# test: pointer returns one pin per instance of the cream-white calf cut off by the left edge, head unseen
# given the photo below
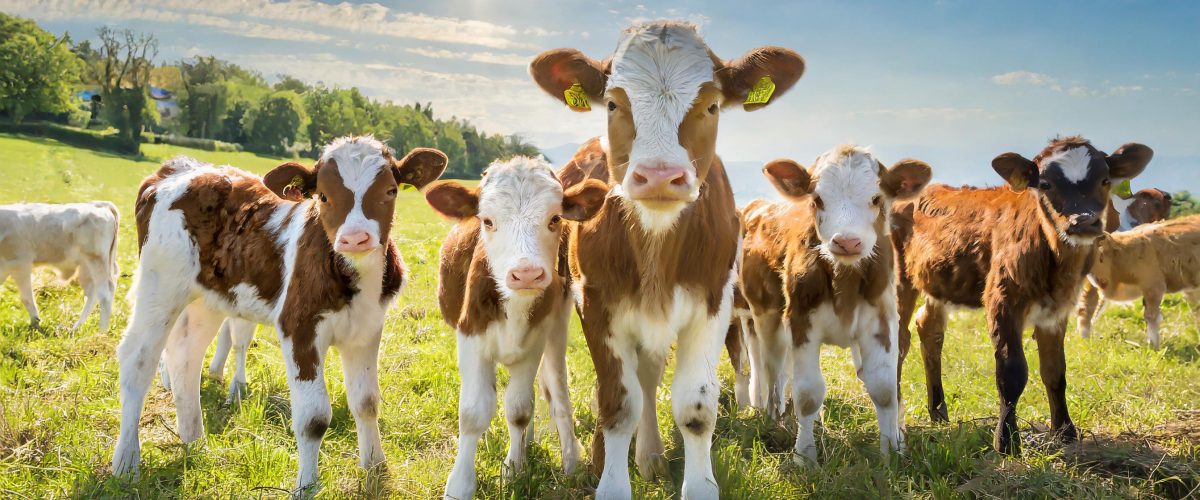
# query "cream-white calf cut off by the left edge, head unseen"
(79, 240)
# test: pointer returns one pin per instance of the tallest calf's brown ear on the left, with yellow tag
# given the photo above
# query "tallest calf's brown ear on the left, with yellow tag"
(555, 71)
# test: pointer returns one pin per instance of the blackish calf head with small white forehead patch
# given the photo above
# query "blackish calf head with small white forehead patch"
(1073, 180)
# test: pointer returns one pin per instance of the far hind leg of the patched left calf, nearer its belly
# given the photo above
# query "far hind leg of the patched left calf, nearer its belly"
(185, 362)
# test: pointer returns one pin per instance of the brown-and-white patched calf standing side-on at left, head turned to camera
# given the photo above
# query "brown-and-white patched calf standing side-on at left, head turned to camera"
(217, 242)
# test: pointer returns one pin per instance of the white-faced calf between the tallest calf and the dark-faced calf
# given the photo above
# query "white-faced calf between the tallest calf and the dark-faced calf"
(818, 269)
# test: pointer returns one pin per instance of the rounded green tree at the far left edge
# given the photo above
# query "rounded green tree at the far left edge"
(38, 70)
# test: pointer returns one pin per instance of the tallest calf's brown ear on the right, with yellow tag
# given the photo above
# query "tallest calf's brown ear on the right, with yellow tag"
(784, 67)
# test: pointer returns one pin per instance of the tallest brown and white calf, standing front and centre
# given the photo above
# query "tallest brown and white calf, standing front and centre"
(656, 267)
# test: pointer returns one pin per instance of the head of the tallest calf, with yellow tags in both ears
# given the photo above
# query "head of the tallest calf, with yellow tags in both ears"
(664, 91)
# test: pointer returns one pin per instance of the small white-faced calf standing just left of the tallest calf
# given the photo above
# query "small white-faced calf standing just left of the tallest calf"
(505, 292)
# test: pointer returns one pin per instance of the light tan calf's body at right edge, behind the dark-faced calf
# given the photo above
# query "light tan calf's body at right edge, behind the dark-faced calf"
(1148, 262)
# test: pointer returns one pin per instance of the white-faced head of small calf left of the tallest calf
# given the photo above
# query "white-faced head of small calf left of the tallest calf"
(520, 206)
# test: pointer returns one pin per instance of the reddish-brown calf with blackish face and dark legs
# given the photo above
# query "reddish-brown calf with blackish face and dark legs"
(1021, 252)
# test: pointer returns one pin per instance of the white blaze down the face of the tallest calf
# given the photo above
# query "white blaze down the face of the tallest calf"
(661, 68)
